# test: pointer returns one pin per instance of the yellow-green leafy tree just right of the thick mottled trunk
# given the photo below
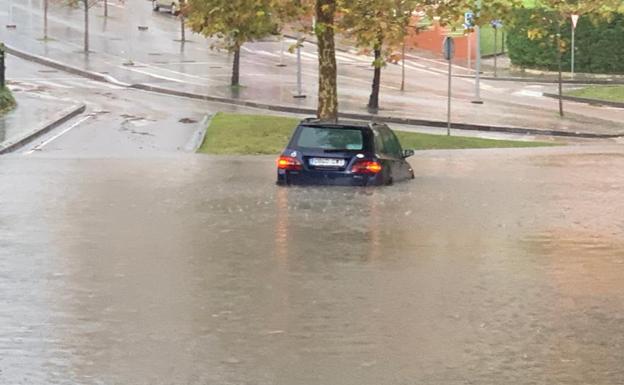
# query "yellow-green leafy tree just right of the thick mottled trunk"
(380, 25)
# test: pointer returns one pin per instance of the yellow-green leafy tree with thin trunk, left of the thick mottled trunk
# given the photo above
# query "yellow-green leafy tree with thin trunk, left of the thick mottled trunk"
(234, 23)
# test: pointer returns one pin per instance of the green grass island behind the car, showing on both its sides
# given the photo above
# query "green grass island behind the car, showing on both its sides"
(238, 134)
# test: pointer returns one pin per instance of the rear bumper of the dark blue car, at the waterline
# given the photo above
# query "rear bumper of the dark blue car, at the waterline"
(327, 178)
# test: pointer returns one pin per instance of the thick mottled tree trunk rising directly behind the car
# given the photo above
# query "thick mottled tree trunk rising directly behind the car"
(328, 82)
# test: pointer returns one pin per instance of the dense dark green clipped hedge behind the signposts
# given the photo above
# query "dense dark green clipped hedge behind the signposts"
(599, 45)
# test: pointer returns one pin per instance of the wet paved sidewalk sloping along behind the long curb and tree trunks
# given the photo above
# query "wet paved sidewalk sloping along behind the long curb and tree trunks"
(193, 69)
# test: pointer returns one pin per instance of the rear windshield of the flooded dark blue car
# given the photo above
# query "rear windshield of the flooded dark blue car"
(330, 138)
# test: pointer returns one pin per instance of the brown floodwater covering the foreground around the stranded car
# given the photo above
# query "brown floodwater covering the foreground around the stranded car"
(492, 267)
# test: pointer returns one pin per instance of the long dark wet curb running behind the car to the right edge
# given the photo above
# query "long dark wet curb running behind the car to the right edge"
(386, 119)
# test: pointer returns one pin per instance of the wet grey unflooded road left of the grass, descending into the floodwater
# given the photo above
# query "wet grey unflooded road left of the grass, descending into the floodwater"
(119, 122)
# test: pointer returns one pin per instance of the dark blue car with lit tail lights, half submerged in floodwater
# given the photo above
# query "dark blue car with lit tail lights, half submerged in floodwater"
(343, 153)
